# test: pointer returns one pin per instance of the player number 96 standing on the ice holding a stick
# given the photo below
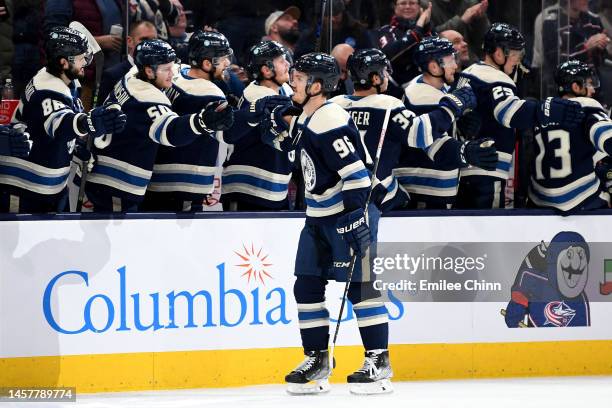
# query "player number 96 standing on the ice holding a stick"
(337, 183)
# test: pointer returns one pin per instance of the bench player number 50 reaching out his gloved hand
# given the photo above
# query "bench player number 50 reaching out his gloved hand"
(124, 161)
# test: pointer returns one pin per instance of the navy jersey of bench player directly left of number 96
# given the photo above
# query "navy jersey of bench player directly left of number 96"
(256, 172)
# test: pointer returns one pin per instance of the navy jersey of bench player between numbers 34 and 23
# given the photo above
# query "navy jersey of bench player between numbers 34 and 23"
(427, 173)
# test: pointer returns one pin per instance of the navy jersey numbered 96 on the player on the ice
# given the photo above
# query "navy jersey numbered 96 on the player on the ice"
(332, 158)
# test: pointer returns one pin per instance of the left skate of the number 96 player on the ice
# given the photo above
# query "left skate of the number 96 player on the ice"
(311, 376)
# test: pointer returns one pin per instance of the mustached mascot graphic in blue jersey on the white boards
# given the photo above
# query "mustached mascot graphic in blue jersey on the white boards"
(548, 290)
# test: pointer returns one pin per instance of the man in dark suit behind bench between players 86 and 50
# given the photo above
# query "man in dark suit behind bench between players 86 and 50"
(139, 31)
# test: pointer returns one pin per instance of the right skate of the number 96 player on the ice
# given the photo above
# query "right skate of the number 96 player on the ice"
(374, 376)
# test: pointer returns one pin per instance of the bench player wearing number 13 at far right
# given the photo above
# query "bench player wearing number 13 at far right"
(563, 173)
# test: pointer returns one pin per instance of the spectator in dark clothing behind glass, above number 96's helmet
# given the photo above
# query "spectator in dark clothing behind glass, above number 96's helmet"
(345, 29)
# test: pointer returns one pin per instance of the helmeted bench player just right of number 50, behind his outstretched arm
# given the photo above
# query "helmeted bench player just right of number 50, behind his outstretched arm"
(184, 176)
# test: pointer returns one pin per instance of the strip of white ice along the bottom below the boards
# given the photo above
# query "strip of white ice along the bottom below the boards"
(574, 392)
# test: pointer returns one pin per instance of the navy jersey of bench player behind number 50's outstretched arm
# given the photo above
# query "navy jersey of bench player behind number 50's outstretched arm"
(188, 171)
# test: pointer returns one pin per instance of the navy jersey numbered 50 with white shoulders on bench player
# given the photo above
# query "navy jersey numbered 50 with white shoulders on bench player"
(124, 162)
